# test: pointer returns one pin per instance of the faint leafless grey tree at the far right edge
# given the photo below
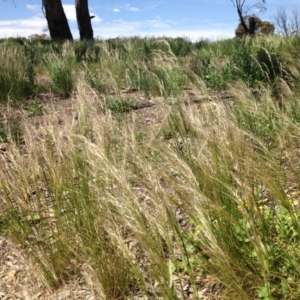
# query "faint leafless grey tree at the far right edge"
(287, 23)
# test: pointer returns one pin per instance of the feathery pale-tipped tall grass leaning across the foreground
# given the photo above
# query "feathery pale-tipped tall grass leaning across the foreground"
(81, 198)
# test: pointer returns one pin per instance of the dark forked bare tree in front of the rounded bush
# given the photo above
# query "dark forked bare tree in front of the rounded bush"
(247, 21)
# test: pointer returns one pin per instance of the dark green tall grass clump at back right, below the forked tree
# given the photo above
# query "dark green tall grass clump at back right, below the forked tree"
(254, 61)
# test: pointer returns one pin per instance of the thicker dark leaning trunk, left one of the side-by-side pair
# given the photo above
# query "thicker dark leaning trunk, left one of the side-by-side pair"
(57, 22)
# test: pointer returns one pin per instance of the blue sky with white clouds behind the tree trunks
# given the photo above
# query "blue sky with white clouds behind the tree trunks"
(193, 19)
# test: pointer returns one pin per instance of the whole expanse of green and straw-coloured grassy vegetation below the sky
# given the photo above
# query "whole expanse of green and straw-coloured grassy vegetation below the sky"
(210, 191)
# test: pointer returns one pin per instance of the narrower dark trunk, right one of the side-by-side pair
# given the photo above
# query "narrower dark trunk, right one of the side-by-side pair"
(84, 20)
